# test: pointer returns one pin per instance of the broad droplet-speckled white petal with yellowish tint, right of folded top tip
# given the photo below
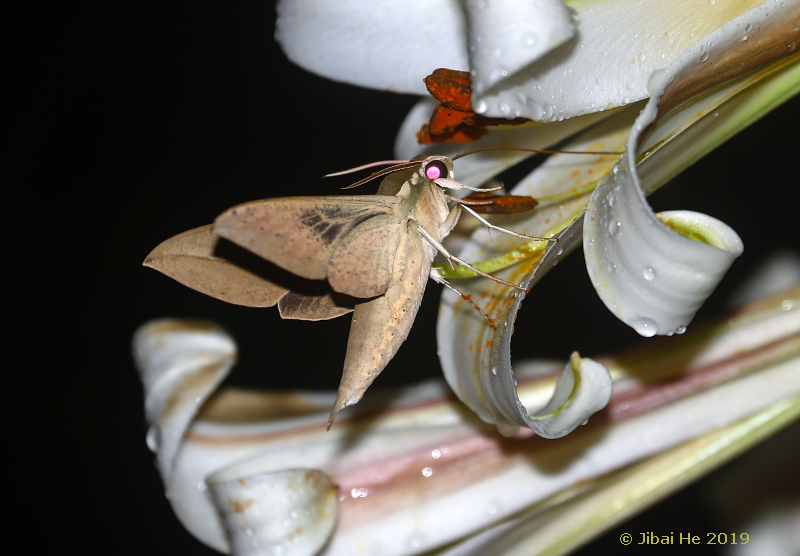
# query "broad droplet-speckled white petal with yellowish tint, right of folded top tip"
(617, 46)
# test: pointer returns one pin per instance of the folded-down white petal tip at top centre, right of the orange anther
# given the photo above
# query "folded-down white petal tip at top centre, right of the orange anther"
(505, 36)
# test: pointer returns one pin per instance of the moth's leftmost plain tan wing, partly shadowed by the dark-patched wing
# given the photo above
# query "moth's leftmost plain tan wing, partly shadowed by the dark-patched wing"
(191, 259)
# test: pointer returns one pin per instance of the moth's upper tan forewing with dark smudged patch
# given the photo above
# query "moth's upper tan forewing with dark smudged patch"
(299, 233)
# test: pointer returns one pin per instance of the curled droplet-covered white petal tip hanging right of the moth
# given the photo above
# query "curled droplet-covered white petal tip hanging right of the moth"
(651, 277)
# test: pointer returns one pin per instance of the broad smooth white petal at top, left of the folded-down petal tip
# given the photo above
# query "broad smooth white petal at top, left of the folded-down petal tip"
(383, 44)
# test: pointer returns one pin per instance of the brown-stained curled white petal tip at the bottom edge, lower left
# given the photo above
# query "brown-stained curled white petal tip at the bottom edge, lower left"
(290, 512)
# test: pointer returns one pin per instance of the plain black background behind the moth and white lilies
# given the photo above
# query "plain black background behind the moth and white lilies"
(135, 122)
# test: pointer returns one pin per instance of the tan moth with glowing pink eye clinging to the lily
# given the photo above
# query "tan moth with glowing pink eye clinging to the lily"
(369, 254)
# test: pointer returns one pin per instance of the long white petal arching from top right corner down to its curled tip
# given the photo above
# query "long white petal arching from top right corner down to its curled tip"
(652, 276)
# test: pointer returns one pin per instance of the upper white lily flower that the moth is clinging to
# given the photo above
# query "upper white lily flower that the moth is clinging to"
(652, 276)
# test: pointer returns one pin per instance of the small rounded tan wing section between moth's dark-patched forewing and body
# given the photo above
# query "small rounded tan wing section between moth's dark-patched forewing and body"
(363, 262)
